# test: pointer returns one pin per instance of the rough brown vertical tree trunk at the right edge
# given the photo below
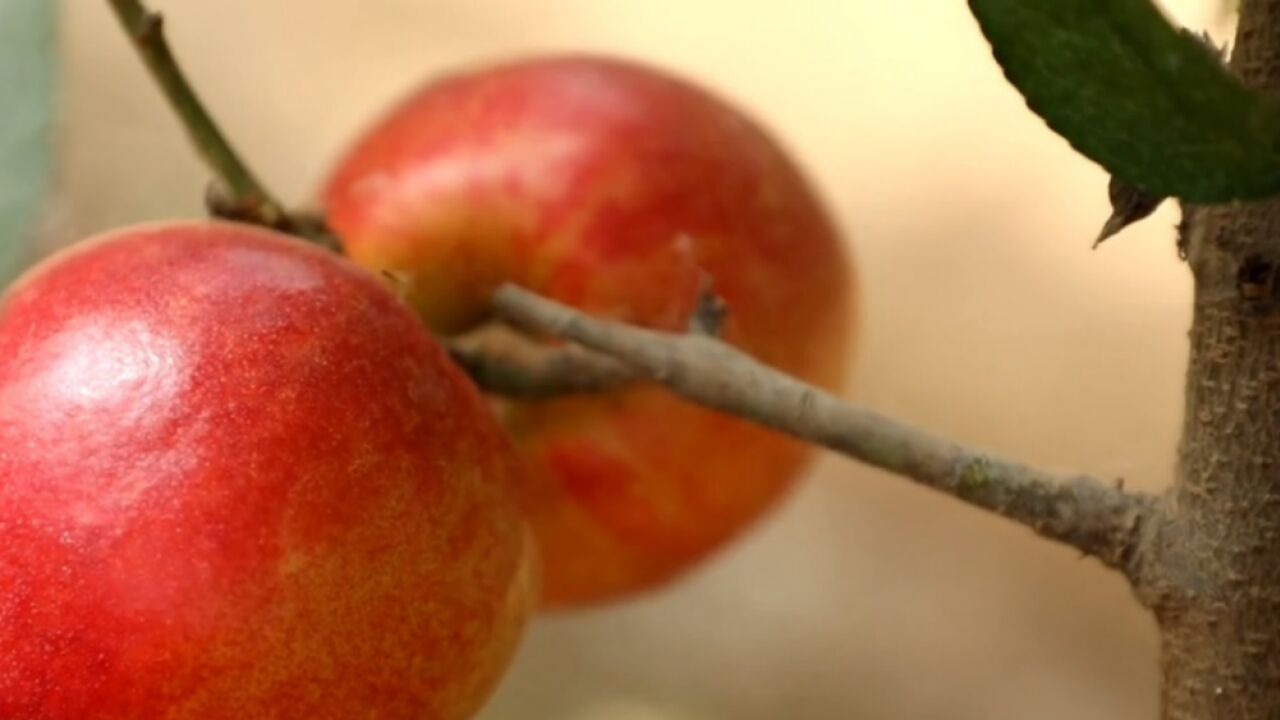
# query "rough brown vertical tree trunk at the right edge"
(1212, 567)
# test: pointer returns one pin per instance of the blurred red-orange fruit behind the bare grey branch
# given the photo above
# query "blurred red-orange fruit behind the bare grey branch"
(610, 186)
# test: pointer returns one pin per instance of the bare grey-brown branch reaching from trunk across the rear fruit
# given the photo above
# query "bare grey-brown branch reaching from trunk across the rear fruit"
(1085, 513)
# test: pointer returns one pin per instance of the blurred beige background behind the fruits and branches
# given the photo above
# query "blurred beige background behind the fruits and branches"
(986, 317)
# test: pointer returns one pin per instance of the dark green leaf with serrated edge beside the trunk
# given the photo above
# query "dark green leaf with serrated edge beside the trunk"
(1150, 103)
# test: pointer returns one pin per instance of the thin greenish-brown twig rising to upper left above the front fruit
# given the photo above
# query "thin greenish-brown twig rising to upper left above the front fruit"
(237, 194)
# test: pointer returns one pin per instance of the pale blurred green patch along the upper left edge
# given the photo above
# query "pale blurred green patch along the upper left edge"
(28, 70)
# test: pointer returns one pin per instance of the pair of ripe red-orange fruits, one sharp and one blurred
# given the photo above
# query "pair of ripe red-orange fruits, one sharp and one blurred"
(239, 479)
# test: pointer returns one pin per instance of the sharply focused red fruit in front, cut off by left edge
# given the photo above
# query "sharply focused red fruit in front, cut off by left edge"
(239, 481)
